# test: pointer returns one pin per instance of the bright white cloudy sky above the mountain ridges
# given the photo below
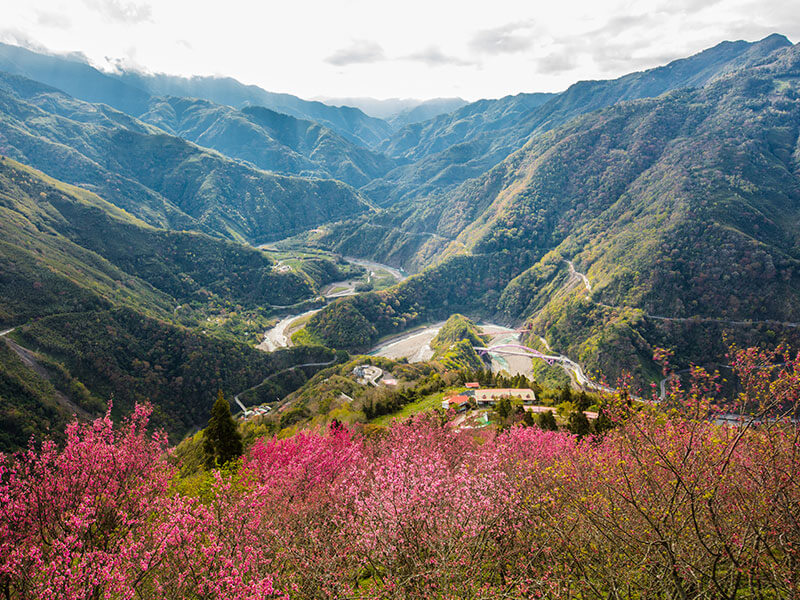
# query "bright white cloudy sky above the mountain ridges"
(413, 48)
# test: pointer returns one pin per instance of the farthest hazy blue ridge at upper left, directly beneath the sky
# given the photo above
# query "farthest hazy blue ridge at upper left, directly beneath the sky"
(131, 92)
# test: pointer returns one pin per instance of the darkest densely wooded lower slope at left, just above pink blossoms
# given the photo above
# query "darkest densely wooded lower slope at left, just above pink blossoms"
(122, 354)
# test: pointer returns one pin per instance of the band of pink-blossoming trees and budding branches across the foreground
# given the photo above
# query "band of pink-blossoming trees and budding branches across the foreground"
(667, 505)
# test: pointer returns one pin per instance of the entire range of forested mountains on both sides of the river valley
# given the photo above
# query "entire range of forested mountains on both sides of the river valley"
(675, 190)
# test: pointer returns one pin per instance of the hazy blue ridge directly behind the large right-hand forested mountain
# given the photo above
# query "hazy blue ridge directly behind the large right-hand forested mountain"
(450, 149)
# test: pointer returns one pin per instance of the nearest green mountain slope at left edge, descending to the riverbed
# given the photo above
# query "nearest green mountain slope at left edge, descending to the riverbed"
(91, 293)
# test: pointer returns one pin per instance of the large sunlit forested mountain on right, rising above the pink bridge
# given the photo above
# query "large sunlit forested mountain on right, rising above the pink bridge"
(682, 210)
